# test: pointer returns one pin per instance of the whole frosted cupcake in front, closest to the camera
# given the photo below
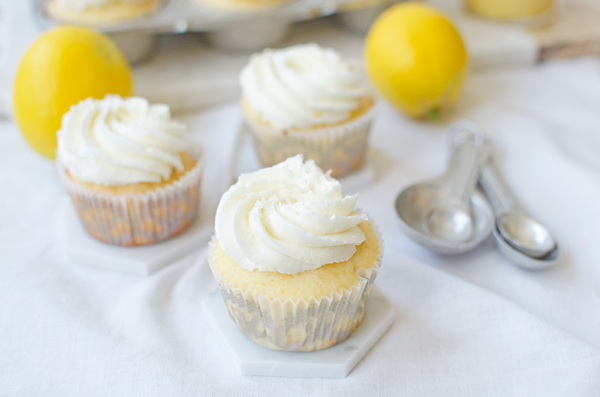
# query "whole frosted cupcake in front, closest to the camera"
(293, 258)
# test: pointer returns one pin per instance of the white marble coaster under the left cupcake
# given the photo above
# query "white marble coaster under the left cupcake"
(83, 249)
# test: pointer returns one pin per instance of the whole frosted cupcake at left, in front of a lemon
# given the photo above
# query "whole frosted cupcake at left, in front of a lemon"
(132, 178)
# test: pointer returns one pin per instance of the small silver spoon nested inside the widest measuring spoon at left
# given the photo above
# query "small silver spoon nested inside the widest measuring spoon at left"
(451, 220)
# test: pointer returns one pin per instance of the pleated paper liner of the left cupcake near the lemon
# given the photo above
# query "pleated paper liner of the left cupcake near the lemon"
(138, 219)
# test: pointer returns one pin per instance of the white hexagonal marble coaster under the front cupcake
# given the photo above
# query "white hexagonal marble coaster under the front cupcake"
(334, 362)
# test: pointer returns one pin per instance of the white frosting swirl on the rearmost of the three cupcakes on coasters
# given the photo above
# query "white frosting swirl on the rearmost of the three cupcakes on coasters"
(302, 86)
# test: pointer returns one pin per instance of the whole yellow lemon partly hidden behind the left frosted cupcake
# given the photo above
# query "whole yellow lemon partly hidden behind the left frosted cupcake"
(61, 68)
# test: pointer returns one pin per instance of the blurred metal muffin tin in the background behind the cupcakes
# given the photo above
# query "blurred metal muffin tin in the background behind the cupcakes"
(226, 29)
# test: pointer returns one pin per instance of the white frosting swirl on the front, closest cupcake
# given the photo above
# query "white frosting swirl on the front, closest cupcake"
(288, 218)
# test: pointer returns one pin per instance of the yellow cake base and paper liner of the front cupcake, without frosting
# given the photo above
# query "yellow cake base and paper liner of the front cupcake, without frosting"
(304, 317)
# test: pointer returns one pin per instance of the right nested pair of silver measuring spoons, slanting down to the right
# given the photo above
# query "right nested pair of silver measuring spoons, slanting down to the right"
(522, 239)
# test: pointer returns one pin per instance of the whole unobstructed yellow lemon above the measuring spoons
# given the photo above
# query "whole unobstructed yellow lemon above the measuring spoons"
(416, 59)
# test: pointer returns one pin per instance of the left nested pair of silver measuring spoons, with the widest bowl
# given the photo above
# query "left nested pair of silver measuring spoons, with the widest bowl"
(445, 214)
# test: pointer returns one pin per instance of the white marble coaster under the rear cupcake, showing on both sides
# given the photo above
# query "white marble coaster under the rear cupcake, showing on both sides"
(245, 160)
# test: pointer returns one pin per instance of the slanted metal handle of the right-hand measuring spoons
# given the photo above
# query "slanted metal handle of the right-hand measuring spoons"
(496, 189)
